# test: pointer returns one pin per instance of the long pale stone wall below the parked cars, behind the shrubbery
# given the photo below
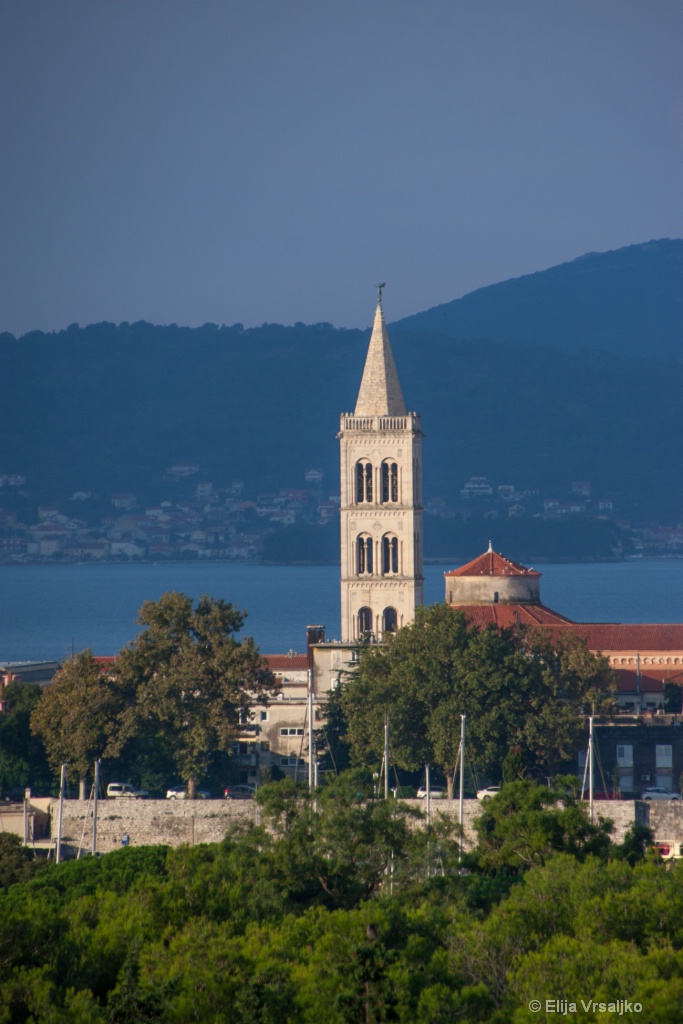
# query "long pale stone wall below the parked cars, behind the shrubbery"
(174, 823)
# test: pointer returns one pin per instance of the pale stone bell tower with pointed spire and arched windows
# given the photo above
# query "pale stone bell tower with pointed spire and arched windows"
(382, 580)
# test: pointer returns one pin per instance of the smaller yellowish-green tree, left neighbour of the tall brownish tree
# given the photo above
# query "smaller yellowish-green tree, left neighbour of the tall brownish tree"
(80, 715)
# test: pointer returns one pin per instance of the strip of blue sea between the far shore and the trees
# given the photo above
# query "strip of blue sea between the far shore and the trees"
(46, 610)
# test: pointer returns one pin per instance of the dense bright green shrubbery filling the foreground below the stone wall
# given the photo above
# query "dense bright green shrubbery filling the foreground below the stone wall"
(350, 914)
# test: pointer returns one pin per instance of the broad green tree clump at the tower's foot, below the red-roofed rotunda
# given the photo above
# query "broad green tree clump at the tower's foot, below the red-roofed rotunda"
(518, 689)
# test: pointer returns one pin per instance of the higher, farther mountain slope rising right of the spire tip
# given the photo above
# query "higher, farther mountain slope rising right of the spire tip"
(627, 302)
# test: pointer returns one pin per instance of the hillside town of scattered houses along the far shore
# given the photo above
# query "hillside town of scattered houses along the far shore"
(202, 520)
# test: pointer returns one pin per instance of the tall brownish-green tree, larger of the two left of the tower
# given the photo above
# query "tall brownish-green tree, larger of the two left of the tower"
(194, 681)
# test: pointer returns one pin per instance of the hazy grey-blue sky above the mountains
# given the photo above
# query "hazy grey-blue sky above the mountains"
(271, 160)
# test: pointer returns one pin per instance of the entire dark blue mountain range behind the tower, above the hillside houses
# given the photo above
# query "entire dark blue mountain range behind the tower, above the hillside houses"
(109, 408)
